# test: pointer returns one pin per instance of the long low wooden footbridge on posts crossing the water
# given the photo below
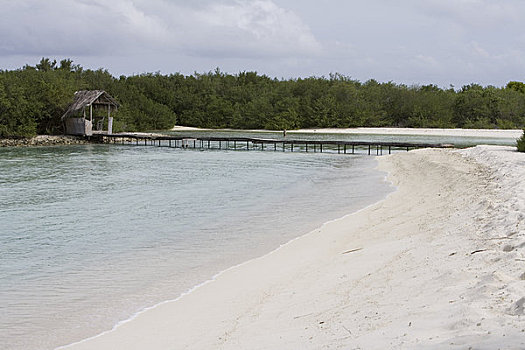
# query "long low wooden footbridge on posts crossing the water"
(247, 143)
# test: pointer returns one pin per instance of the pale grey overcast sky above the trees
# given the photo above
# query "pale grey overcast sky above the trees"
(406, 41)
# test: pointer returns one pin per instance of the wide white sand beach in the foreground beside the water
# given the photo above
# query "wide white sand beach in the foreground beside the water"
(438, 264)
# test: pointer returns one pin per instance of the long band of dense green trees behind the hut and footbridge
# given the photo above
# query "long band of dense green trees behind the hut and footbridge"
(33, 98)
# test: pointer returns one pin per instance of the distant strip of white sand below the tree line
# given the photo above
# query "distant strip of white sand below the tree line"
(482, 133)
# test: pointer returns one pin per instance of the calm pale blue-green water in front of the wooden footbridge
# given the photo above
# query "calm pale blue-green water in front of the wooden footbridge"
(92, 234)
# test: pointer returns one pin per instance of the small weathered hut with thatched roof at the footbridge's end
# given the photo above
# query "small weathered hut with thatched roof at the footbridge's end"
(88, 112)
